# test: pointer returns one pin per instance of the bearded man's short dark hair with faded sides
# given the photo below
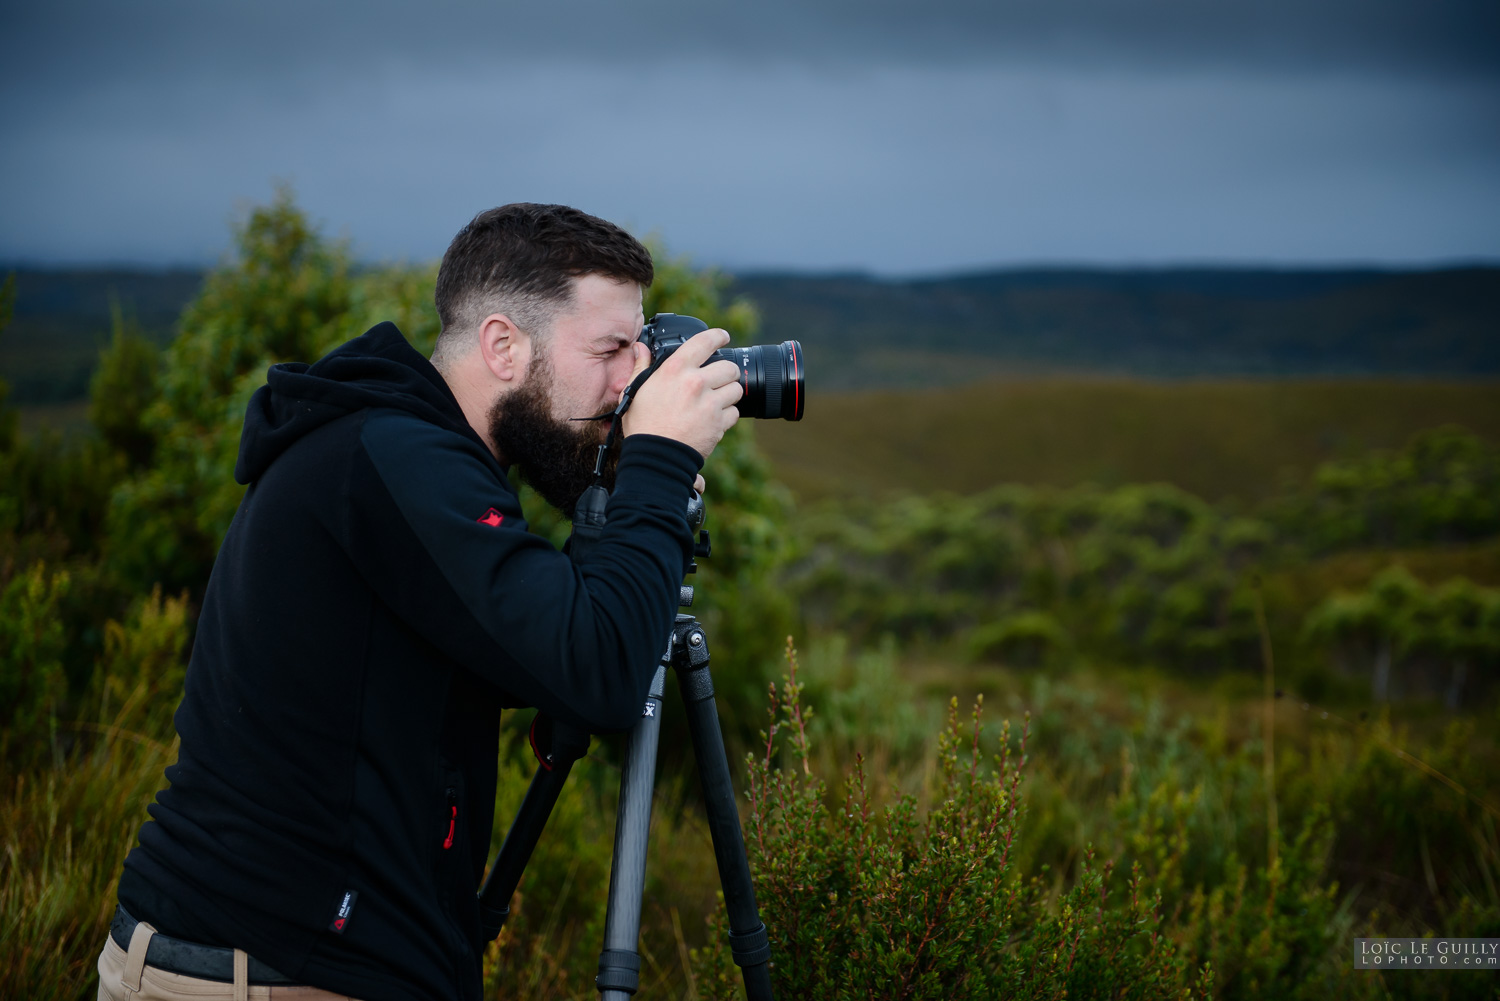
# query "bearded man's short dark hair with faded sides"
(521, 259)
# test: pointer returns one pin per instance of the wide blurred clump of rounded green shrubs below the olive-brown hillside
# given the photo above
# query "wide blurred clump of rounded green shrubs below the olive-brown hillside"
(1141, 574)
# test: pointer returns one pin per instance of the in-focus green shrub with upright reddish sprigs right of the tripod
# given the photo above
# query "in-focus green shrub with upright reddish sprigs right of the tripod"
(919, 904)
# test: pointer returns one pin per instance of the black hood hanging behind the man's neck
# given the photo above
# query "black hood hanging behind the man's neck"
(377, 368)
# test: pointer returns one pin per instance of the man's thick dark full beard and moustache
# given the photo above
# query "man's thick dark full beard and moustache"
(554, 457)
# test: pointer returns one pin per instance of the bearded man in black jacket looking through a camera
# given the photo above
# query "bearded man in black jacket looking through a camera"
(379, 603)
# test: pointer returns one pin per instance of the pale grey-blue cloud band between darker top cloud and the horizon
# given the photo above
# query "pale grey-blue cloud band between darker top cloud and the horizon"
(896, 169)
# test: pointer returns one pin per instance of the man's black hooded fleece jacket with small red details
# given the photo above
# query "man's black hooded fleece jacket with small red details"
(376, 604)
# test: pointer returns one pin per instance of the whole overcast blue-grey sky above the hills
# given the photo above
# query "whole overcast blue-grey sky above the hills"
(839, 134)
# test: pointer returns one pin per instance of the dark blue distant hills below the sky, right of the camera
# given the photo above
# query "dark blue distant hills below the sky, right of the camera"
(863, 332)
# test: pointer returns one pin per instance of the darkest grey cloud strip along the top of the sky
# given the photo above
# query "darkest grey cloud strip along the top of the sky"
(286, 40)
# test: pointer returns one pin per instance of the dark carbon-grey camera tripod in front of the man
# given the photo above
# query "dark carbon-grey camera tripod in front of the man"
(559, 747)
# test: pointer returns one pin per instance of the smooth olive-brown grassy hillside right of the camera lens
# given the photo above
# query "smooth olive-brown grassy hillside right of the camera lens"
(1222, 440)
